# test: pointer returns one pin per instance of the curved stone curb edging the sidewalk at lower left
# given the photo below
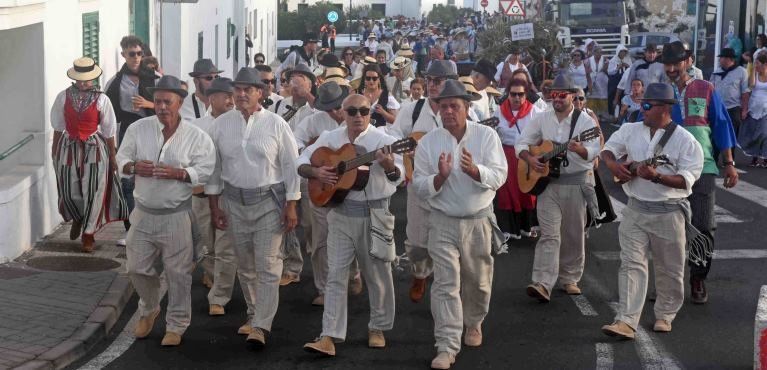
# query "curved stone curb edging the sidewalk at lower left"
(92, 331)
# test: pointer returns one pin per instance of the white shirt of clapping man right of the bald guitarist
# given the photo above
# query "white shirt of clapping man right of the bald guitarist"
(460, 195)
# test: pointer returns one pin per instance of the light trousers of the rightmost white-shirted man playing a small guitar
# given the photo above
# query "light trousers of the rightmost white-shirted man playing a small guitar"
(663, 235)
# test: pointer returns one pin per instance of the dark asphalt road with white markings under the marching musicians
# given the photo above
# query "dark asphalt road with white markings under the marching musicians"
(519, 332)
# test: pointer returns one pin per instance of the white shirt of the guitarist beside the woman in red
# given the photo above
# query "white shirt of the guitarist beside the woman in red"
(546, 126)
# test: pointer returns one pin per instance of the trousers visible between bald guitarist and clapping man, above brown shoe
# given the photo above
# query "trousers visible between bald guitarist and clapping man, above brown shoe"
(417, 235)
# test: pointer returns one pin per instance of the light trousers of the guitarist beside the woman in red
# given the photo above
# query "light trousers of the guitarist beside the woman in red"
(560, 249)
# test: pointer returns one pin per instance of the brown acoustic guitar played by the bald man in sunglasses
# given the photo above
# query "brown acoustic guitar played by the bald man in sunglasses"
(349, 167)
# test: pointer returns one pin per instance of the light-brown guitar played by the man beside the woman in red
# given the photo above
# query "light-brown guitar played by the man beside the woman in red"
(534, 182)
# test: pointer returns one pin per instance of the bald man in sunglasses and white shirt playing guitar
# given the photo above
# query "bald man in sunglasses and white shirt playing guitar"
(349, 227)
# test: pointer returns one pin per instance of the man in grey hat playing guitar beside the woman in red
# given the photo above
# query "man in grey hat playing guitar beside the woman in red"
(562, 205)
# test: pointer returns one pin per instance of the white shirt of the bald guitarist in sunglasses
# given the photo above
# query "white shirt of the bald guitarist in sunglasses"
(378, 186)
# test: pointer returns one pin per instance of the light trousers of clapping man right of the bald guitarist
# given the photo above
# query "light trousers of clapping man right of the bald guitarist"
(463, 276)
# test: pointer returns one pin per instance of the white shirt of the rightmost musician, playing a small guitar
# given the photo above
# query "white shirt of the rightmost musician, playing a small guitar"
(682, 149)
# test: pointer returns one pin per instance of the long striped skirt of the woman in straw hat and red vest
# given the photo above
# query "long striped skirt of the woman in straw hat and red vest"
(89, 192)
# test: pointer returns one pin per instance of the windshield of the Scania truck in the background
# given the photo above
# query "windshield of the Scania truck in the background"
(591, 13)
